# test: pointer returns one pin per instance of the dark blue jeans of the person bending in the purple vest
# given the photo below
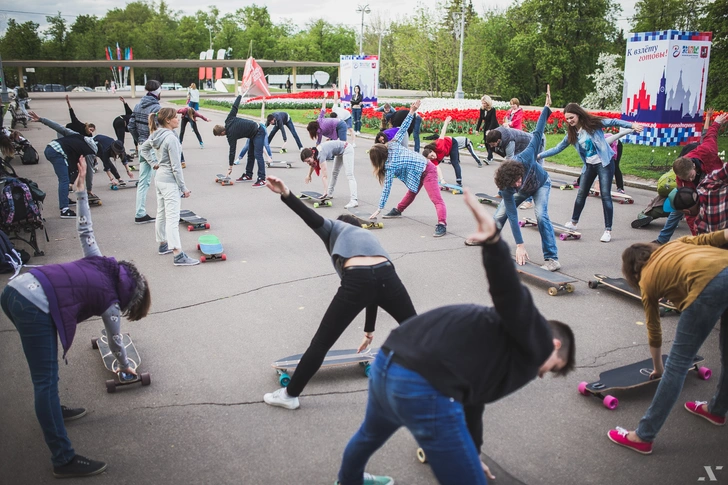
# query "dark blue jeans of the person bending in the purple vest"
(39, 337)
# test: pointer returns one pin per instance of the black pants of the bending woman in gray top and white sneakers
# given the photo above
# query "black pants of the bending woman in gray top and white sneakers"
(360, 288)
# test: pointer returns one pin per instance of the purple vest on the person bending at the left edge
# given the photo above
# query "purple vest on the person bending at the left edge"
(82, 289)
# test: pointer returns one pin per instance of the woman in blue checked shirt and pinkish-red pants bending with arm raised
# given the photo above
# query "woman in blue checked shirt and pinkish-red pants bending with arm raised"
(394, 160)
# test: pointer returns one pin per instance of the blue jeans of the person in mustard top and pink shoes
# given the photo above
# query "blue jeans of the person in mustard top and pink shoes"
(693, 328)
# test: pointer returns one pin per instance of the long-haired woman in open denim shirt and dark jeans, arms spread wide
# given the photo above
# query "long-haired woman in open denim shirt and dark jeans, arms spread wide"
(586, 132)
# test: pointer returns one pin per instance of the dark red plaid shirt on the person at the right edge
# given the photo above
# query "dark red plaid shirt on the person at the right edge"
(713, 202)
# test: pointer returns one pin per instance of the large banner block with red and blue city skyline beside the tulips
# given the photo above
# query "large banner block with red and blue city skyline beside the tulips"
(665, 79)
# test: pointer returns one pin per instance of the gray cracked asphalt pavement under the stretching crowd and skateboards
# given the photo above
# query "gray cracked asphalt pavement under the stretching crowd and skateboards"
(214, 330)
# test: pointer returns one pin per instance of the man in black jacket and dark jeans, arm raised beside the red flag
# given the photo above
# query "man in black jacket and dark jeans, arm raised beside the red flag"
(236, 128)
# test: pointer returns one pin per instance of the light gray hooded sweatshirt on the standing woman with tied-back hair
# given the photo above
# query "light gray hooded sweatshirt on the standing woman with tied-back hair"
(164, 152)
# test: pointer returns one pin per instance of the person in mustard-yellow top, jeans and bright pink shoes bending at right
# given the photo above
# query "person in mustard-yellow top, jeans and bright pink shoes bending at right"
(692, 273)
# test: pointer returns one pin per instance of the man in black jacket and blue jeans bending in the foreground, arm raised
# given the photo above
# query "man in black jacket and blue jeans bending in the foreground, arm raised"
(436, 371)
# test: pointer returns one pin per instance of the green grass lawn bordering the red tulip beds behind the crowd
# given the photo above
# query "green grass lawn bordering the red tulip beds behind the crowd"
(638, 160)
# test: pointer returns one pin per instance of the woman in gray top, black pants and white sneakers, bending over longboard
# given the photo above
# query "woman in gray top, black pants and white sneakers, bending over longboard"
(368, 280)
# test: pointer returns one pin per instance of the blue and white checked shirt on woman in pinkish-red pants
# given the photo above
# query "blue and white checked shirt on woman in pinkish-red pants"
(402, 163)
